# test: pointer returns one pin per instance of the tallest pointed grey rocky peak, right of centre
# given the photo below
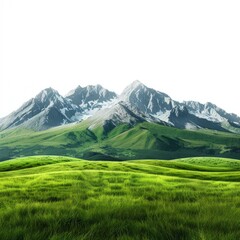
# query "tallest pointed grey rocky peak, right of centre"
(147, 99)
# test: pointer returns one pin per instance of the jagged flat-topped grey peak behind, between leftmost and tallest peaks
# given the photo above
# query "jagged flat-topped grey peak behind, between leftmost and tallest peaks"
(91, 98)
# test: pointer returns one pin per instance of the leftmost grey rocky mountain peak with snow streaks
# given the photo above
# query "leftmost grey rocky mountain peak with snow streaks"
(47, 109)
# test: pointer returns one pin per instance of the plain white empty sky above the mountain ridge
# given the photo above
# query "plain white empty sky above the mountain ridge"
(187, 49)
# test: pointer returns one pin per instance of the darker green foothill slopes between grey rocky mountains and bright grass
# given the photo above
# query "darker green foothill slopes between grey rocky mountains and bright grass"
(145, 140)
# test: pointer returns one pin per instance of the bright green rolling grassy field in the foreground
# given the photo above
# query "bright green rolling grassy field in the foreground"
(51, 197)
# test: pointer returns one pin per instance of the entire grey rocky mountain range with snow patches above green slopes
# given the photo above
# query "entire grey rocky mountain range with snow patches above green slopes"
(137, 103)
